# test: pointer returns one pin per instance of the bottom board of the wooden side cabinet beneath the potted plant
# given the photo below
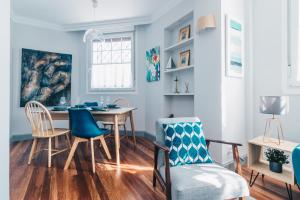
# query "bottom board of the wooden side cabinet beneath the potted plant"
(286, 175)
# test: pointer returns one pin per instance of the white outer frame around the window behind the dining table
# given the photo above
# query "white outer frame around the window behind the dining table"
(89, 66)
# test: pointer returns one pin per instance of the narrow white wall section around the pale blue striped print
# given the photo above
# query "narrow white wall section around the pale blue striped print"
(233, 89)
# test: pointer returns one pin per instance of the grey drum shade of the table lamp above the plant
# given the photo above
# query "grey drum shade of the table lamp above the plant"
(276, 105)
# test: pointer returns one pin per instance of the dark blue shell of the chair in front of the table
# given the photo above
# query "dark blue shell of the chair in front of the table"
(83, 124)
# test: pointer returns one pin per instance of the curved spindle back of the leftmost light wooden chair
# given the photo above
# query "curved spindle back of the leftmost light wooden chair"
(39, 118)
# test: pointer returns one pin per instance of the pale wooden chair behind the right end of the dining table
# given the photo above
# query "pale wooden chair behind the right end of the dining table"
(122, 119)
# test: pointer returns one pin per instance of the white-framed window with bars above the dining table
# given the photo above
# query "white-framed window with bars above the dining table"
(112, 63)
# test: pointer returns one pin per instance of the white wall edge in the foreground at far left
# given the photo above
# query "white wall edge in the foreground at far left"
(5, 96)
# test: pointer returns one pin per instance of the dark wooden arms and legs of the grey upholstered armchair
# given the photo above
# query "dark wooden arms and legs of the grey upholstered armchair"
(166, 185)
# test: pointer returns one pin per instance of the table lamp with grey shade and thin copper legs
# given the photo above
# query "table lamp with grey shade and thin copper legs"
(274, 105)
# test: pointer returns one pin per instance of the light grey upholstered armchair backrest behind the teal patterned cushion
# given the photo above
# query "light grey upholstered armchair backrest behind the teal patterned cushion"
(160, 134)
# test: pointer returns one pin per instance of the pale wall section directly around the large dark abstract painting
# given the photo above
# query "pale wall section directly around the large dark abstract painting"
(24, 36)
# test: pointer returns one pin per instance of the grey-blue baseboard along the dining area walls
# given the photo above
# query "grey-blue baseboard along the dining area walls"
(24, 137)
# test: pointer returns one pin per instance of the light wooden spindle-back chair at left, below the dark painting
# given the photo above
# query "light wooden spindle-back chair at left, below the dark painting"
(42, 128)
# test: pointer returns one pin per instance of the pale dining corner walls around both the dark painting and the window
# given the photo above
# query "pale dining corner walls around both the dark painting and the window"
(24, 36)
